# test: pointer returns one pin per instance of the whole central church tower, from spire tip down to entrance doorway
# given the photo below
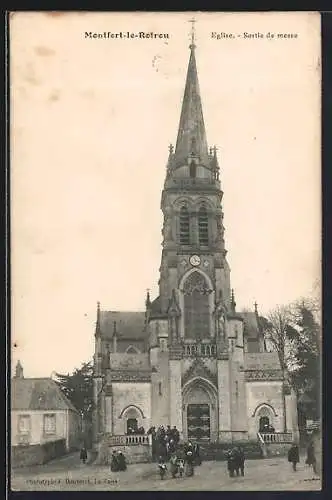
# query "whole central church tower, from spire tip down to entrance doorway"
(189, 322)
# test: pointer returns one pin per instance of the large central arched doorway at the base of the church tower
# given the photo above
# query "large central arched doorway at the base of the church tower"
(200, 411)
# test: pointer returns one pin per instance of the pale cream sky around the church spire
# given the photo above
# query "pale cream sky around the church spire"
(91, 122)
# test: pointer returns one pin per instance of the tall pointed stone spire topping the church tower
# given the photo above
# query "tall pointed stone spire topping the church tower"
(191, 139)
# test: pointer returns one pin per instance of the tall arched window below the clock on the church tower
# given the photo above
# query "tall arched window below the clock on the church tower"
(196, 307)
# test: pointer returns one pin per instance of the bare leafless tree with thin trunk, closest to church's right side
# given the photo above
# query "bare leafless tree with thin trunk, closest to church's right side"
(280, 334)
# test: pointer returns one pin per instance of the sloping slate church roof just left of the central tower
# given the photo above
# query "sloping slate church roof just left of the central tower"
(128, 324)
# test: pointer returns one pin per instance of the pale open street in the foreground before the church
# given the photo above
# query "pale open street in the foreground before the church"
(68, 474)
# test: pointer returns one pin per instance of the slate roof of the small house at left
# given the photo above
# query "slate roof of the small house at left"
(38, 394)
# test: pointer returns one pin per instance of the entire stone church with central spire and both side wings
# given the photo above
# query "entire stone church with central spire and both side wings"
(190, 360)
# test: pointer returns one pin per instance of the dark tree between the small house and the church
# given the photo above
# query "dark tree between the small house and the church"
(78, 387)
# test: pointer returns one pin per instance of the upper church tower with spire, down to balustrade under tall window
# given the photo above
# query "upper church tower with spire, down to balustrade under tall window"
(193, 231)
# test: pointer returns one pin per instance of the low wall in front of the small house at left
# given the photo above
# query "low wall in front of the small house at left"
(27, 455)
